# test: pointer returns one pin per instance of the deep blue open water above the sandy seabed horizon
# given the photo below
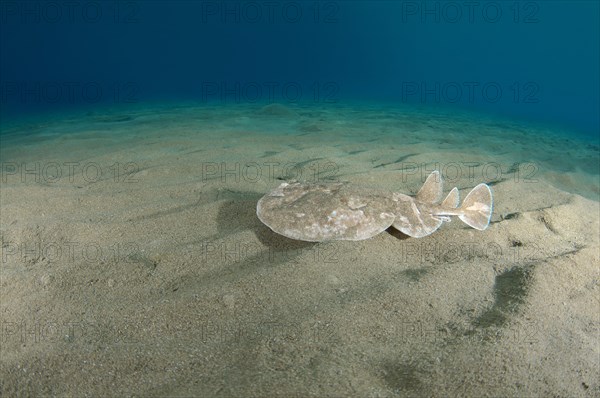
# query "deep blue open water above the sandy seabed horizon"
(538, 60)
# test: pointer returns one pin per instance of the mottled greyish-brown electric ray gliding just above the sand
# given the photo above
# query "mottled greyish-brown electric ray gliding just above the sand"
(340, 211)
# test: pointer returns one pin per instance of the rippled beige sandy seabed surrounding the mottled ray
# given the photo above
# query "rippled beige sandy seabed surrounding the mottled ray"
(133, 263)
